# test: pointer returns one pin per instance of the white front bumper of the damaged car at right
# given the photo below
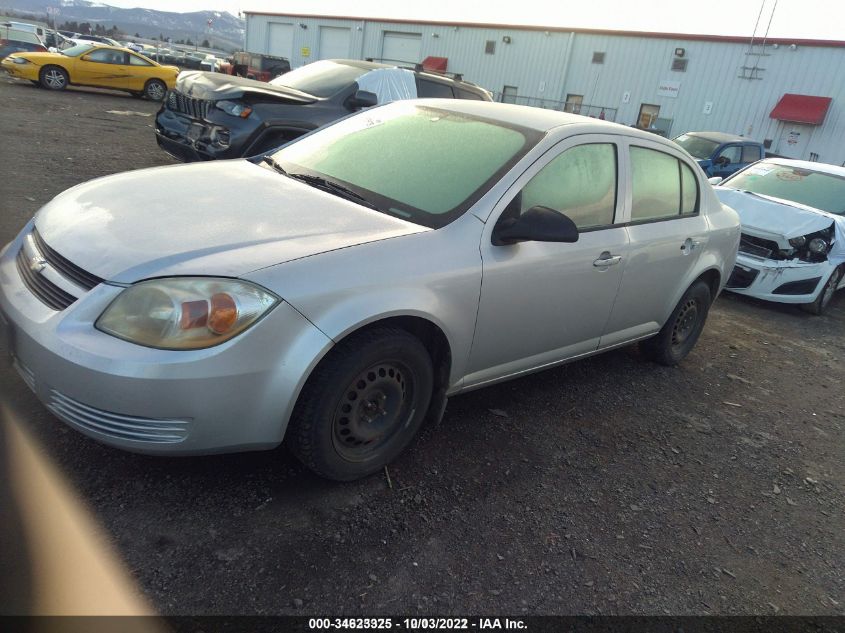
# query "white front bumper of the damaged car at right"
(776, 280)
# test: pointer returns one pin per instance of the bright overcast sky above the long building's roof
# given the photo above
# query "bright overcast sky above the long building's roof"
(808, 19)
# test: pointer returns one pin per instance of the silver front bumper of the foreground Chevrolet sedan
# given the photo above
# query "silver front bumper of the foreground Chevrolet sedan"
(233, 397)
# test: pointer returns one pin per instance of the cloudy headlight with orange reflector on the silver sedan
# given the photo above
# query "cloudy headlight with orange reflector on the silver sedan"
(185, 312)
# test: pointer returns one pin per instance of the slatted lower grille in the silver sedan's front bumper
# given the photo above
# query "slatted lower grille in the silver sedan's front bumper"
(117, 425)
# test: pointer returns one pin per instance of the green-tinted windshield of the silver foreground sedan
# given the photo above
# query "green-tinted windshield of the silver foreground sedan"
(423, 164)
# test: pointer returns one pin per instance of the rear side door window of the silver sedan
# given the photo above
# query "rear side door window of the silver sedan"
(662, 186)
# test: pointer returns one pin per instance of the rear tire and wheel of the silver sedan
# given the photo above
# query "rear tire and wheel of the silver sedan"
(681, 331)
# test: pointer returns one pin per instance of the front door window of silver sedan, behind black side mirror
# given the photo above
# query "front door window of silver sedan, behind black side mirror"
(581, 183)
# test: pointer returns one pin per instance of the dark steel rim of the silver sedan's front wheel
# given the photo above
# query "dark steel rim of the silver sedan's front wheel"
(374, 409)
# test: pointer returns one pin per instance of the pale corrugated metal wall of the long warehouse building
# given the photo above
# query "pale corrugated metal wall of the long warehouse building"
(549, 65)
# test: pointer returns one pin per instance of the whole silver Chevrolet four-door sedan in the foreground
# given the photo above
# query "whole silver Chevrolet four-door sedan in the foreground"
(335, 292)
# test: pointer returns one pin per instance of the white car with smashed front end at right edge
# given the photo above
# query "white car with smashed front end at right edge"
(793, 231)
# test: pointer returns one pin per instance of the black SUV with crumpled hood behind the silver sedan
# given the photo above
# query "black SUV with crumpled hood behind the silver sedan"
(212, 115)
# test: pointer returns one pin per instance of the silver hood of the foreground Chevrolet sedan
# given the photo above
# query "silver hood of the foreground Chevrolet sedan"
(223, 218)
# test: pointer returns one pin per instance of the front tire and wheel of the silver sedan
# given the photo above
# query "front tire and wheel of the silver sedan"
(362, 405)
